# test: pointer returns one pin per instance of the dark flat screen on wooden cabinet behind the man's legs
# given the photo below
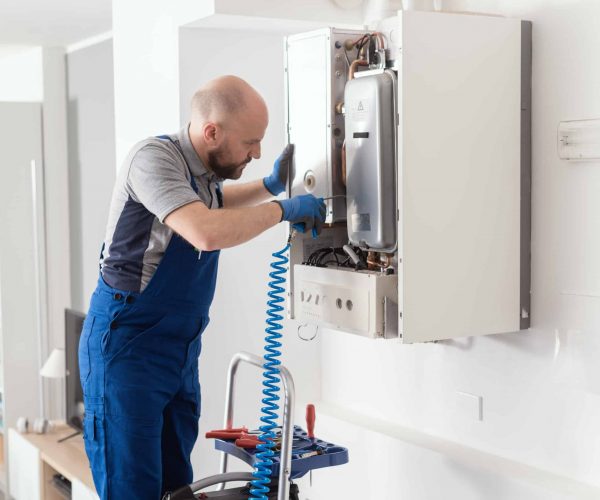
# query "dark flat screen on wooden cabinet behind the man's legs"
(74, 392)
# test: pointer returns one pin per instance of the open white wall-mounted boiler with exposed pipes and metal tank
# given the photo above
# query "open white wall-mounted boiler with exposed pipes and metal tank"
(447, 151)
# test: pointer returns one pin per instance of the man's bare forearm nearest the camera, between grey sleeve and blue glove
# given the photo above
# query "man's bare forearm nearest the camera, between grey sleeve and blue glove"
(223, 228)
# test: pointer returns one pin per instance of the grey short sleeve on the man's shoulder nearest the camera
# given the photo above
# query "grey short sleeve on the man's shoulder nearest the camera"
(158, 179)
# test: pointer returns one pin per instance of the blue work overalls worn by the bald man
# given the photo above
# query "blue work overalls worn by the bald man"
(138, 359)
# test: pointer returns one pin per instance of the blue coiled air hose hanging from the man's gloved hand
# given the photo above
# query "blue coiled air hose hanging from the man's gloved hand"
(263, 467)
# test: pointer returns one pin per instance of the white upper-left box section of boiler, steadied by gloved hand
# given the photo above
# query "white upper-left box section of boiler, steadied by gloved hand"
(316, 66)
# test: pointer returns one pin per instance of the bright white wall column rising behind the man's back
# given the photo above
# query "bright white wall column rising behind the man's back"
(146, 67)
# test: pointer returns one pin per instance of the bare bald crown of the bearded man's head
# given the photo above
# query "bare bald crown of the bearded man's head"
(224, 99)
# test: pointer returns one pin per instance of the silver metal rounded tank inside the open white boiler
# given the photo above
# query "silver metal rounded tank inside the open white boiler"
(371, 128)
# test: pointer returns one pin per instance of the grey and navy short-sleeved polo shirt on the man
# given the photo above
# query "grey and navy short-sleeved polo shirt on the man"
(154, 181)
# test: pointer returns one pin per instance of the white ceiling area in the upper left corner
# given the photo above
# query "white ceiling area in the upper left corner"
(52, 22)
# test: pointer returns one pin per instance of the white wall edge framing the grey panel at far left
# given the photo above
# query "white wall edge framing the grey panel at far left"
(38, 74)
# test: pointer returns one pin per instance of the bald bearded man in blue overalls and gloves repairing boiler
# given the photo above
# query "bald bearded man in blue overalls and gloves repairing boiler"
(169, 218)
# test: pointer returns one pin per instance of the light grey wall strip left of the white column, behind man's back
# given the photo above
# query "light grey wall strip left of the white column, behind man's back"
(91, 161)
